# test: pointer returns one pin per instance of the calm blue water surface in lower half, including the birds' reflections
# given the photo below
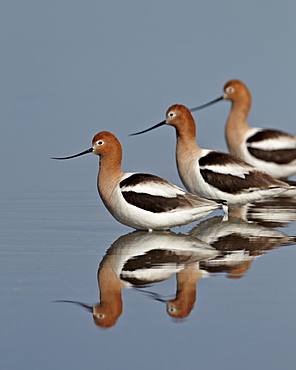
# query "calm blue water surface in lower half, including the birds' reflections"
(79, 290)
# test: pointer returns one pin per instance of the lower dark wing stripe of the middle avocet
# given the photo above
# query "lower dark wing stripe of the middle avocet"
(234, 184)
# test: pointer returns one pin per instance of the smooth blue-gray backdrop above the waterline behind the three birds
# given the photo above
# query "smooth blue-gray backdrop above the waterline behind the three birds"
(71, 69)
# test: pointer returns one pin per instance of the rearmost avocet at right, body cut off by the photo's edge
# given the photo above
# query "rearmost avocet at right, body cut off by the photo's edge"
(271, 151)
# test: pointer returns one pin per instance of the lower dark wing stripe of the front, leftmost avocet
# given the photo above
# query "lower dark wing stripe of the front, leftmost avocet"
(154, 203)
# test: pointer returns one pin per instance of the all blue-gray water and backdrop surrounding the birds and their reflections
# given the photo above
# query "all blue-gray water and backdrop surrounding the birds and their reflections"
(70, 69)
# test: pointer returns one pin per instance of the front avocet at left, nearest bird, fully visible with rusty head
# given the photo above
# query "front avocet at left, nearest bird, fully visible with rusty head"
(140, 200)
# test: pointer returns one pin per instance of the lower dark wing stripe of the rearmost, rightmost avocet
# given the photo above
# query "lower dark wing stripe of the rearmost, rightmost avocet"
(280, 156)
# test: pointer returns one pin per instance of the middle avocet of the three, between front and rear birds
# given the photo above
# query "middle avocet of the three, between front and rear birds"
(212, 174)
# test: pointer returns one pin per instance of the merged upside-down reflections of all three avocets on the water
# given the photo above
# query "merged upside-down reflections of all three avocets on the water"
(140, 258)
